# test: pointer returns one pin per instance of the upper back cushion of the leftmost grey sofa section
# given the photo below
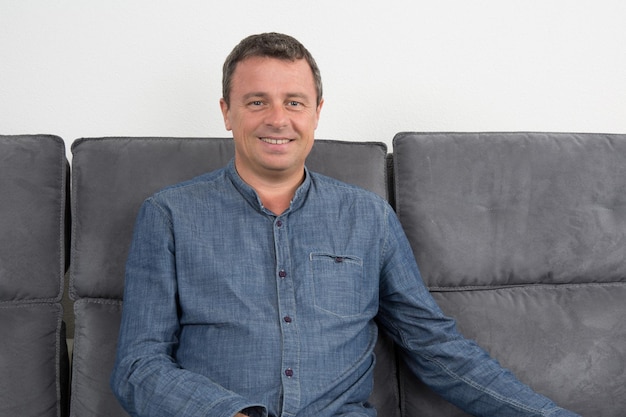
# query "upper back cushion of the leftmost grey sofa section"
(33, 185)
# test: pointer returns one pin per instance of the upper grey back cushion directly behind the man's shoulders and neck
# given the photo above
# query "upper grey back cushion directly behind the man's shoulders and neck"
(112, 177)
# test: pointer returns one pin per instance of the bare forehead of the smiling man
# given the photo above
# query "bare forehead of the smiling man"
(266, 73)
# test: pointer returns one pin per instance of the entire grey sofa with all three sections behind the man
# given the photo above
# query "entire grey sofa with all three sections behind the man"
(520, 236)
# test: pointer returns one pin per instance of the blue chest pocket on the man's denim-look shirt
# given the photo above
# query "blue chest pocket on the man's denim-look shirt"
(337, 283)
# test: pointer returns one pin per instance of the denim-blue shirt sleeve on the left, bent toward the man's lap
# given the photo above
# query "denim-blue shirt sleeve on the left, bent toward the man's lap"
(146, 378)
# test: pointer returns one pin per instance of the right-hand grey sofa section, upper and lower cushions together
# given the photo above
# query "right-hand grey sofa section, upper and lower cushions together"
(521, 237)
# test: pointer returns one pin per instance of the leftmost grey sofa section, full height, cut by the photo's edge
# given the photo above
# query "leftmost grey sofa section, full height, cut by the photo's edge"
(33, 202)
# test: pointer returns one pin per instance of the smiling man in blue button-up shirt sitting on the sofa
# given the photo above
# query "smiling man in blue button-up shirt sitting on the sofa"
(252, 290)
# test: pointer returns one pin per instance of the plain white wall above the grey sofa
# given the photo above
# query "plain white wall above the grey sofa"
(80, 68)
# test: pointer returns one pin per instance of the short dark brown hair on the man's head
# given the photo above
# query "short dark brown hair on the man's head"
(273, 45)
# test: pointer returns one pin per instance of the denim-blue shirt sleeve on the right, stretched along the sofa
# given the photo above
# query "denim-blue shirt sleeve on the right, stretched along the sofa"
(453, 366)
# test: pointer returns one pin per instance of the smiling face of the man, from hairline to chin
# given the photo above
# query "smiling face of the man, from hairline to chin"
(273, 115)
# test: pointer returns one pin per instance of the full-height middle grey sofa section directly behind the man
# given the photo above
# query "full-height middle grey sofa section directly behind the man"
(111, 178)
